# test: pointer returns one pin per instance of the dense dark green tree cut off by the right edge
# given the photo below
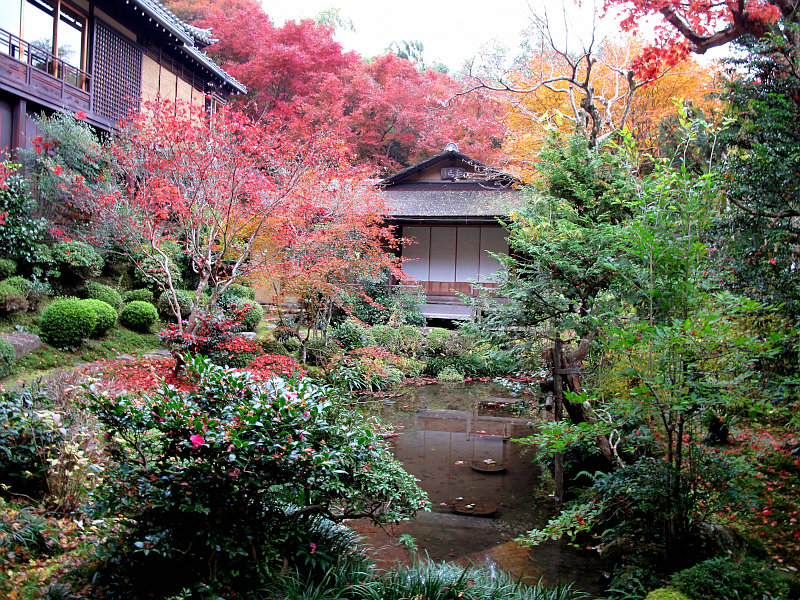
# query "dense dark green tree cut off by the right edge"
(762, 175)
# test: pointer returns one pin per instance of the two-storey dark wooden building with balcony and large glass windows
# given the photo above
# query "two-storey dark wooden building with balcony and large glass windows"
(101, 57)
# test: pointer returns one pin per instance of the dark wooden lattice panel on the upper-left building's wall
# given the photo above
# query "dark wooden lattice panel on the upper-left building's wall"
(117, 74)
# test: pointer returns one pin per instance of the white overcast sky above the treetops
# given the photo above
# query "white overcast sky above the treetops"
(450, 32)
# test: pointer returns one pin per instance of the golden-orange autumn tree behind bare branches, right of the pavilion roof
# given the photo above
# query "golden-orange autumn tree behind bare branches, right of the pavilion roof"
(595, 91)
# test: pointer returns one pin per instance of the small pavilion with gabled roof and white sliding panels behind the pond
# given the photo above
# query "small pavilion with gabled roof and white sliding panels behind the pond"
(449, 205)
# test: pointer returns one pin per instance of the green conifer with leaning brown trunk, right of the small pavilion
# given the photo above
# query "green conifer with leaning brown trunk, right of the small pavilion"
(567, 259)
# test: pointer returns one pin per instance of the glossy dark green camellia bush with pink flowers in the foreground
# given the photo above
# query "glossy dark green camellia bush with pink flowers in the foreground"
(222, 478)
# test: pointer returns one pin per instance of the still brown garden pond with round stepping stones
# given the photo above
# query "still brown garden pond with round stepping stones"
(456, 439)
